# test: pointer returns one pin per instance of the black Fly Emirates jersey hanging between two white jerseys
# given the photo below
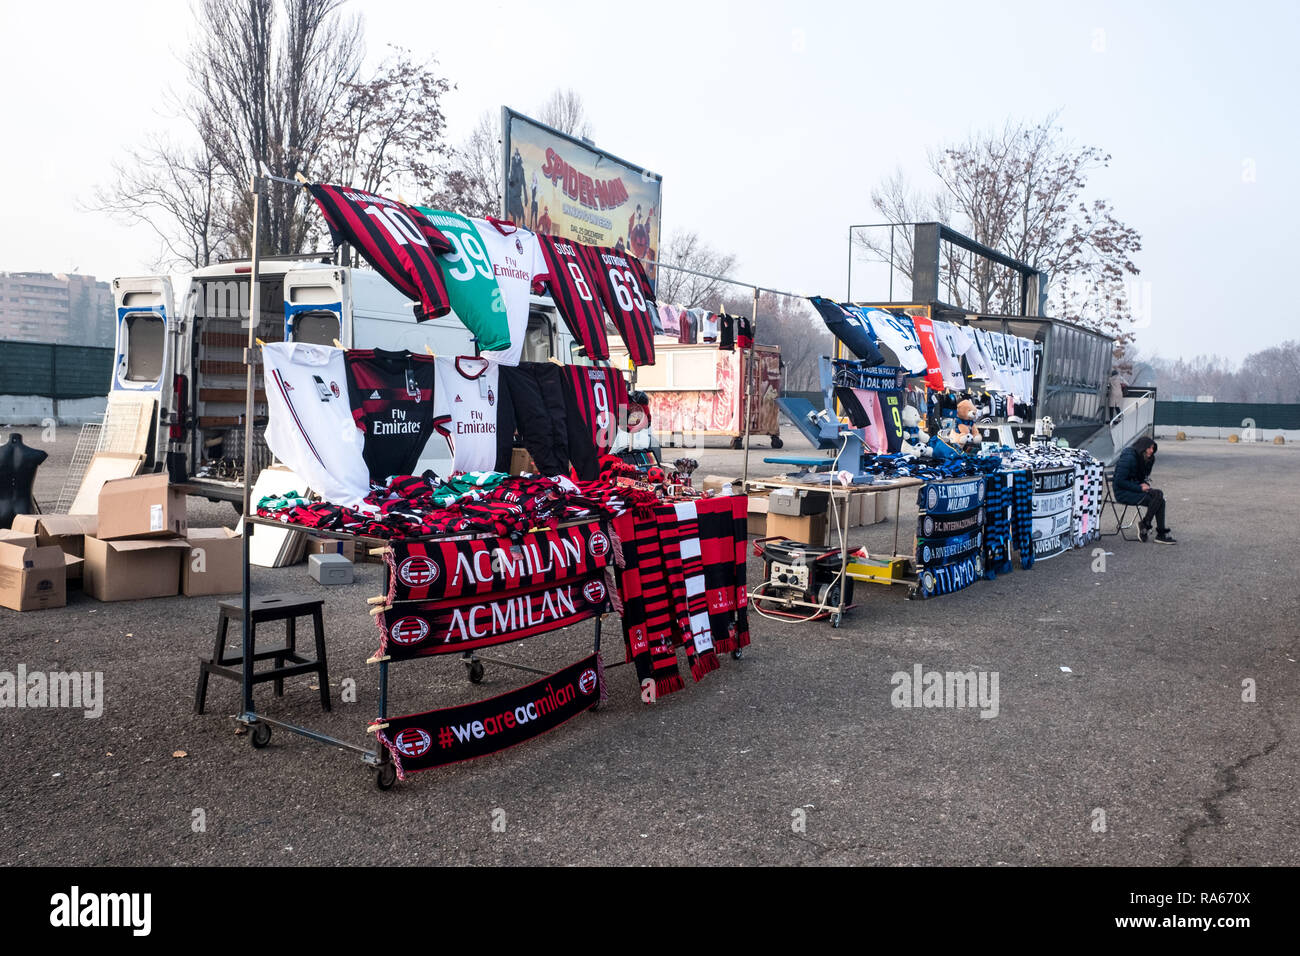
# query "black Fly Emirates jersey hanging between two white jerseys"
(392, 399)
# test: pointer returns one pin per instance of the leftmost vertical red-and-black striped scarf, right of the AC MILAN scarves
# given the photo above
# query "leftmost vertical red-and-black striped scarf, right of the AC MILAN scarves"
(647, 612)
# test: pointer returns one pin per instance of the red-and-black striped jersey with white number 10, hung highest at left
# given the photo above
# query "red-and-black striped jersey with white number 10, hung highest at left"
(400, 243)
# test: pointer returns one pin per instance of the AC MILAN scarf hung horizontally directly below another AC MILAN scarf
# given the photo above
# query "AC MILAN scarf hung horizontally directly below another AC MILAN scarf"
(423, 629)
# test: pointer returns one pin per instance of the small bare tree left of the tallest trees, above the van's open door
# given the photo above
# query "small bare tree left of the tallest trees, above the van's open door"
(177, 192)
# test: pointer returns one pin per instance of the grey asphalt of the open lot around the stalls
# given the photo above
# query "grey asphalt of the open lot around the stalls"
(1143, 754)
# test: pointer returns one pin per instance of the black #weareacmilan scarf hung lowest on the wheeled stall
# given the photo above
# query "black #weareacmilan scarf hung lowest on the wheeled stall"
(437, 738)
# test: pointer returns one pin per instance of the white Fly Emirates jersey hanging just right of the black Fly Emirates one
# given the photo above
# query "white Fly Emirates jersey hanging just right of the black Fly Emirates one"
(465, 403)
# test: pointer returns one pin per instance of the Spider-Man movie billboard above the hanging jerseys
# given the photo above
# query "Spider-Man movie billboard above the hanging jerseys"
(558, 185)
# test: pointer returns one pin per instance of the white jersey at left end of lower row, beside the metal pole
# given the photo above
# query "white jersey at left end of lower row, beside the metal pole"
(311, 426)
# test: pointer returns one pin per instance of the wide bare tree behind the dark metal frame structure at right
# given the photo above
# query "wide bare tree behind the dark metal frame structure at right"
(1022, 192)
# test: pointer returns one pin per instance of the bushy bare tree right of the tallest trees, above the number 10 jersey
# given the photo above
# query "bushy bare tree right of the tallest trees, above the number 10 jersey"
(388, 129)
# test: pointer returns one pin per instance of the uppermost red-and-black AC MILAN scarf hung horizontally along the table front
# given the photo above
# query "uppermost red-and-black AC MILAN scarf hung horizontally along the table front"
(437, 570)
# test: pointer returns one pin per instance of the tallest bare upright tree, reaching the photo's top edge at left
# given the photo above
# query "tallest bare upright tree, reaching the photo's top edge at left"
(265, 93)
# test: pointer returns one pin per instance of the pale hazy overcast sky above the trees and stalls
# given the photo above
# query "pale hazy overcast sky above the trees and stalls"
(769, 122)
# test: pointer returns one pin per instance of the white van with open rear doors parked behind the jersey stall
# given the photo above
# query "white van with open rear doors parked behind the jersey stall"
(181, 340)
